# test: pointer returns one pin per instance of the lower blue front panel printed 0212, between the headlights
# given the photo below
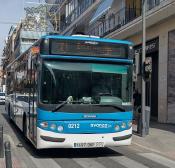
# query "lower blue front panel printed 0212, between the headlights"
(85, 126)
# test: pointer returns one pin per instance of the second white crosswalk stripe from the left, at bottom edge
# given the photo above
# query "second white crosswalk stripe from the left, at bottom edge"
(88, 163)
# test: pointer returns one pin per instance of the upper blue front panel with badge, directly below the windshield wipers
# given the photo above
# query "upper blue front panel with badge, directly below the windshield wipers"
(52, 116)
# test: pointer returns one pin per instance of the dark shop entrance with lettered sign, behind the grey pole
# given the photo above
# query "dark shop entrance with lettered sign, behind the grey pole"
(151, 90)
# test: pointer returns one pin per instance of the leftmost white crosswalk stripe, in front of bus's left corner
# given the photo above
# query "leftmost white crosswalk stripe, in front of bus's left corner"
(49, 163)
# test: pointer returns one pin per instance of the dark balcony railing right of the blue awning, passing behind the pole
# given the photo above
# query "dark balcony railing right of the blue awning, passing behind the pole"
(115, 21)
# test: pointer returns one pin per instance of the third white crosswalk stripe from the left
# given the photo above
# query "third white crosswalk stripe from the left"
(127, 162)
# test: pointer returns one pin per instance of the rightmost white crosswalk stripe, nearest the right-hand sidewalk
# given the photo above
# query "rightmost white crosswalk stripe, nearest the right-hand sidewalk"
(159, 159)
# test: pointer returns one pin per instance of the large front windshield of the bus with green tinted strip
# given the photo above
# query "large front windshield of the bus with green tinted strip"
(85, 83)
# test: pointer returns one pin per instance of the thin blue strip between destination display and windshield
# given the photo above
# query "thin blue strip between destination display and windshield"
(88, 58)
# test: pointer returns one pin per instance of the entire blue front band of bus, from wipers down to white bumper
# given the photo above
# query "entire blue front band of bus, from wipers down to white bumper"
(78, 123)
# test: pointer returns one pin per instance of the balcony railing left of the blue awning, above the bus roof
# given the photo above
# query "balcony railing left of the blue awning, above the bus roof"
(81, 8)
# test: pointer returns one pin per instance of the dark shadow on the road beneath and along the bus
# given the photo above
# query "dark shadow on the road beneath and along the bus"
(58, 153)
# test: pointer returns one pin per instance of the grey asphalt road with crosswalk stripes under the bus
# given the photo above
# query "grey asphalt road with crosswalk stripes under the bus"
(24, 154)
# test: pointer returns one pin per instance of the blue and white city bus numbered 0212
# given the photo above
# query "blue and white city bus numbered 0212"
(72, 92)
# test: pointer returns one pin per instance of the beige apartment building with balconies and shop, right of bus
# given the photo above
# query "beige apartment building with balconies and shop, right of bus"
(121, 19)
